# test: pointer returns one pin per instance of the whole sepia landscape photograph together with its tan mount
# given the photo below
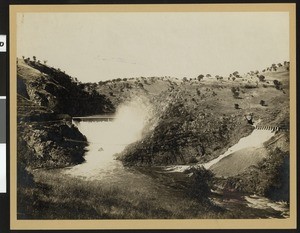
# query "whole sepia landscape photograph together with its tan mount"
(153, 114)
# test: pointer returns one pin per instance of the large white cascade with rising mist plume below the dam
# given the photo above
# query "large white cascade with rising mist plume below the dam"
(108, 138)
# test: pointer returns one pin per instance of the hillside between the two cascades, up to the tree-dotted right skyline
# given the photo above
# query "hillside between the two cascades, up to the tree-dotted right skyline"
(201, 119)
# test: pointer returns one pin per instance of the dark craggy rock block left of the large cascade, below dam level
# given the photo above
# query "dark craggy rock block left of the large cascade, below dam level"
(51, 146)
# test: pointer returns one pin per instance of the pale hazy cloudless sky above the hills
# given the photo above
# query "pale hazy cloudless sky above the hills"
(99, 46)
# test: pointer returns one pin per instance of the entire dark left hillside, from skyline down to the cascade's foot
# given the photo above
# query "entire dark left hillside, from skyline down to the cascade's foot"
(47, 98)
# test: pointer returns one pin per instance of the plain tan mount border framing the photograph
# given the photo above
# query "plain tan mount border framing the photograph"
(289, 223)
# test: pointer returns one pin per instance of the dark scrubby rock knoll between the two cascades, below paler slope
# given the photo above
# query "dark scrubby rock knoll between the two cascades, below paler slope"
(185, 136)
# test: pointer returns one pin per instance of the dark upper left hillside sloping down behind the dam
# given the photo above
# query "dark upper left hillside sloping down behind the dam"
(57, 91)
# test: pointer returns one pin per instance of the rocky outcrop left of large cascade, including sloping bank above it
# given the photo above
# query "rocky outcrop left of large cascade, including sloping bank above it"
(46, 139)
